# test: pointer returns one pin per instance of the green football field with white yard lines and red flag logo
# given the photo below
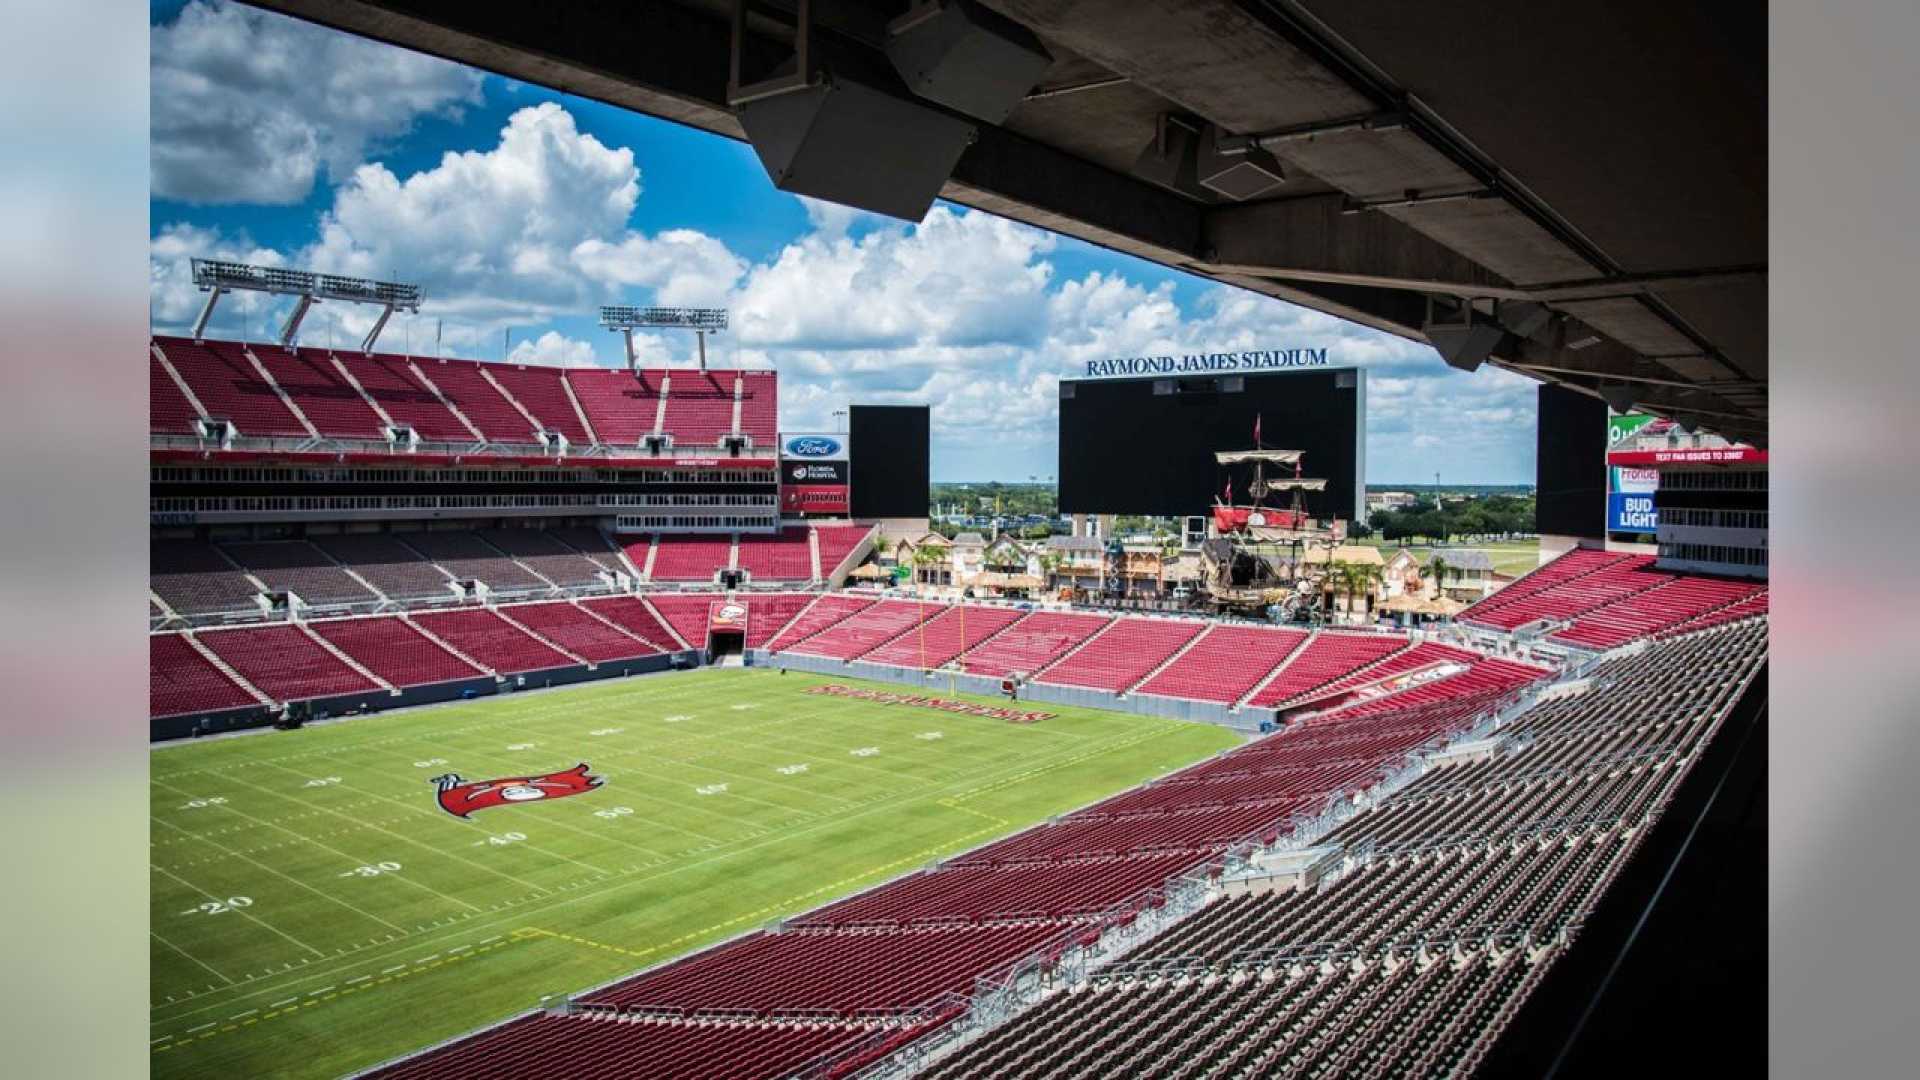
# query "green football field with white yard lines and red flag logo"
(316, 912)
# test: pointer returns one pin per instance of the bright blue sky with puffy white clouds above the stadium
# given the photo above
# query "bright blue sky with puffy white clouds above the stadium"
(523, 210)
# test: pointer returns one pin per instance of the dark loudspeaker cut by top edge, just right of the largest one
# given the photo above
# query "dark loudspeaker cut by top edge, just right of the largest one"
(967, 59)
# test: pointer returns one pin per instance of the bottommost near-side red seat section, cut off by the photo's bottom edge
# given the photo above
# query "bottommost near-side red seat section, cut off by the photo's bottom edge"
(602, 1048)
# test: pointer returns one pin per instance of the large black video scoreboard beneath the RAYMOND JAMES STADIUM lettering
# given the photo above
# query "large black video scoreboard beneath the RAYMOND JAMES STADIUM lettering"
(1147, 445)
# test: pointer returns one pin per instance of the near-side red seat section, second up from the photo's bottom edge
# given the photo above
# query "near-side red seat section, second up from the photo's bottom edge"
(830, 970)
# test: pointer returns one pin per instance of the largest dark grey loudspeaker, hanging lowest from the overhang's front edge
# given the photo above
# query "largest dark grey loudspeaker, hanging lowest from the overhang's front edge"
(857, 147)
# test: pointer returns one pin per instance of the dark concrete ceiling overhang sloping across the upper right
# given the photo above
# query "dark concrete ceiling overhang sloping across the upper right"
(1606, 160)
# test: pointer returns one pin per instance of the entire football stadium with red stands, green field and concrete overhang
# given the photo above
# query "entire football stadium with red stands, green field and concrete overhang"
(564, 720)
